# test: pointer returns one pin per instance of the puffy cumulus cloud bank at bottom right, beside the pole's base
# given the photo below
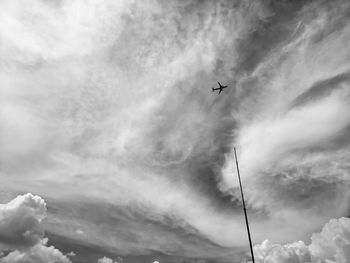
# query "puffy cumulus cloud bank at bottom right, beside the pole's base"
(331, 245)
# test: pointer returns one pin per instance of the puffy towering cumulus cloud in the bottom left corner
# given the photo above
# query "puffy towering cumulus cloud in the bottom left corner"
(22, 233)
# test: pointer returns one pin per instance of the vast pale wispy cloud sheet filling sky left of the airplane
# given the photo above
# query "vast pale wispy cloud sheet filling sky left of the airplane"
(113, 105)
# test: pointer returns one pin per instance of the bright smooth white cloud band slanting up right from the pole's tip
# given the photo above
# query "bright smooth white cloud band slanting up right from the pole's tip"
(267, 141)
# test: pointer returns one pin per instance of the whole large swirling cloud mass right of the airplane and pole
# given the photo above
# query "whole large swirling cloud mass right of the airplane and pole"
(292, 128)
